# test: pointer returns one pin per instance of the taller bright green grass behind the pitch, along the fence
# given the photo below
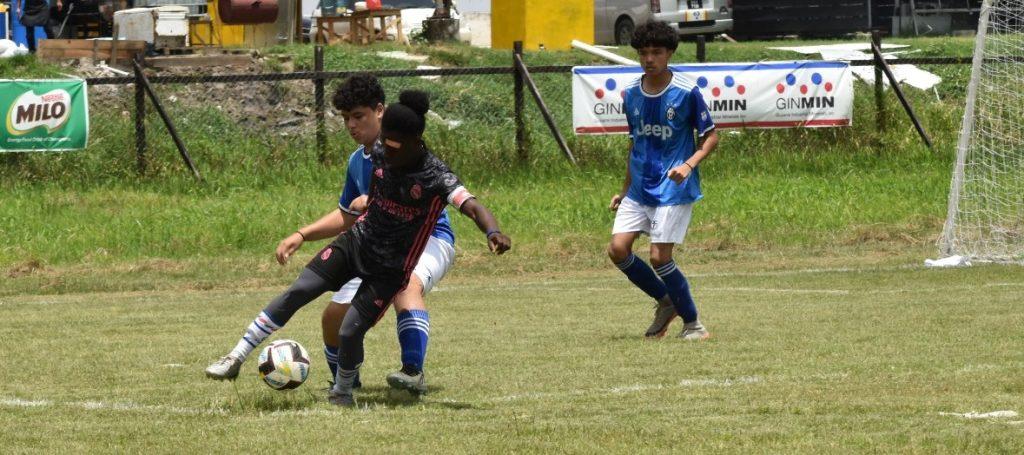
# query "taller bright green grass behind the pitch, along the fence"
(810, 189)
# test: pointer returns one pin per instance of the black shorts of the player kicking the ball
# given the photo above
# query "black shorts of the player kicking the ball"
(340, 262)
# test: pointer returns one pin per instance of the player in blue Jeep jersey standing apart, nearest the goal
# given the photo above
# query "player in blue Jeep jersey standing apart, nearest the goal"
(663, 110)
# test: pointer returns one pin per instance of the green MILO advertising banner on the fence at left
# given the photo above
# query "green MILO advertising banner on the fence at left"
(44, 115)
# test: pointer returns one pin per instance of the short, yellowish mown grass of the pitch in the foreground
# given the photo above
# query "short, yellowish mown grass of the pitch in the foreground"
(802, 362)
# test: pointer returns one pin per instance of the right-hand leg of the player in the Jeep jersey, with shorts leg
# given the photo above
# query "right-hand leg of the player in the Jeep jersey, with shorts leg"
(672, 224)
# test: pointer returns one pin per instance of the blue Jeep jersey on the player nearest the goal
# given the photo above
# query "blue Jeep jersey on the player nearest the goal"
(662, 128)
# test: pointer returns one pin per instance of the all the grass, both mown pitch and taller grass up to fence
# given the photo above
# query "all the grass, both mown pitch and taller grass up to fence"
(117, 289)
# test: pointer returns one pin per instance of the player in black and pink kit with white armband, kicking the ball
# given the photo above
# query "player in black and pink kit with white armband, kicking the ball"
(408, 191)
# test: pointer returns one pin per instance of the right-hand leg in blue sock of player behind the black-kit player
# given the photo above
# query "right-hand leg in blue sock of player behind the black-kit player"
(413, 319)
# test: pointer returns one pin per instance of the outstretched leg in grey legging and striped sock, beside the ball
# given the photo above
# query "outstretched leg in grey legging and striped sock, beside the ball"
(307, 287)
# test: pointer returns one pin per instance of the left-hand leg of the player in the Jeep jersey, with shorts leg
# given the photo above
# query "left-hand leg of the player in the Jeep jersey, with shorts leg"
(631, 220)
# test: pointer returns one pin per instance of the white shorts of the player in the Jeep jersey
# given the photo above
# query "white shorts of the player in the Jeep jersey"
(667, 224)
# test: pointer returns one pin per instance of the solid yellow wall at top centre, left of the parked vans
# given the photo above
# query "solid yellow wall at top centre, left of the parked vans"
(553, 24)
